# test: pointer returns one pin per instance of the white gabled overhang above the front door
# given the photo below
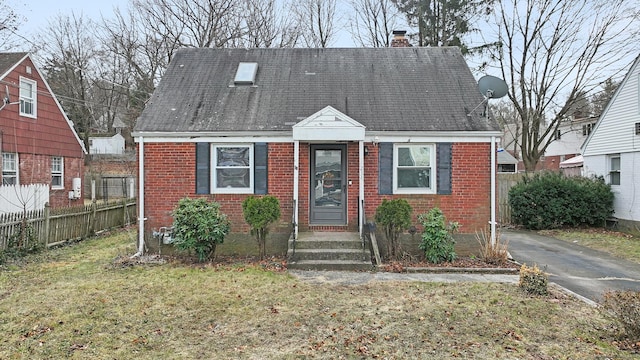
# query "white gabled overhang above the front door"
(328, 124)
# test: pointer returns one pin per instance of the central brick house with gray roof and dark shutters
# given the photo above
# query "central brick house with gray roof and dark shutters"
(330, 132)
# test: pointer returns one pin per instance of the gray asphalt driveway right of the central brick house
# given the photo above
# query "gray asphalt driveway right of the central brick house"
(586, 272)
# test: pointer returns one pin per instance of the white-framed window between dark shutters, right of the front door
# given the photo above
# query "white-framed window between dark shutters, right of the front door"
(414, 168)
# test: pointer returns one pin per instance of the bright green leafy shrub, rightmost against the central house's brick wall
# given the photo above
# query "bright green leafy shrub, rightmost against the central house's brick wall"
(437, 237)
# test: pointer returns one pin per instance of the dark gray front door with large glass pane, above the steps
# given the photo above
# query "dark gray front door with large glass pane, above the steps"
(328, 186)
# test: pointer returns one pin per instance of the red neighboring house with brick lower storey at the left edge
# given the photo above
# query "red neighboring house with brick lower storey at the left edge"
(38, 142)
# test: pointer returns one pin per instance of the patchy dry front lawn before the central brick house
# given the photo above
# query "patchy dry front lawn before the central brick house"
(77, 302)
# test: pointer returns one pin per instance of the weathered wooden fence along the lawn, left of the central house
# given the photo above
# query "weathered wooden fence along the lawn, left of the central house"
(55, 226)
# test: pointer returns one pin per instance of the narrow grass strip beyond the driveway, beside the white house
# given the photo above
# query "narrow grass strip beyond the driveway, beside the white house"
(618, 244)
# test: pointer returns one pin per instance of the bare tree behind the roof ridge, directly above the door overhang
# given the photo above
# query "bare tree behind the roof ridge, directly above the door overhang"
(317, 22)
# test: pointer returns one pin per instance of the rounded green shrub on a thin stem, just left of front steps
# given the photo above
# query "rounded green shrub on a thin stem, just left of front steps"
(259, 213)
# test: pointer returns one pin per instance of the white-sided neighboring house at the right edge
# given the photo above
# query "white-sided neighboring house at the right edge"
(613, 148)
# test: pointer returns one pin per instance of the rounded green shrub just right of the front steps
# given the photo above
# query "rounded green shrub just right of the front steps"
(395, 217)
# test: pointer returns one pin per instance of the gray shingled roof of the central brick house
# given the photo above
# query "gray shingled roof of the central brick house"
(397, 89)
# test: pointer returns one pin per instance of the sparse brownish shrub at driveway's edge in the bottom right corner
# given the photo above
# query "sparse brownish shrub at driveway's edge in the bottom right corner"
(624, 307)
